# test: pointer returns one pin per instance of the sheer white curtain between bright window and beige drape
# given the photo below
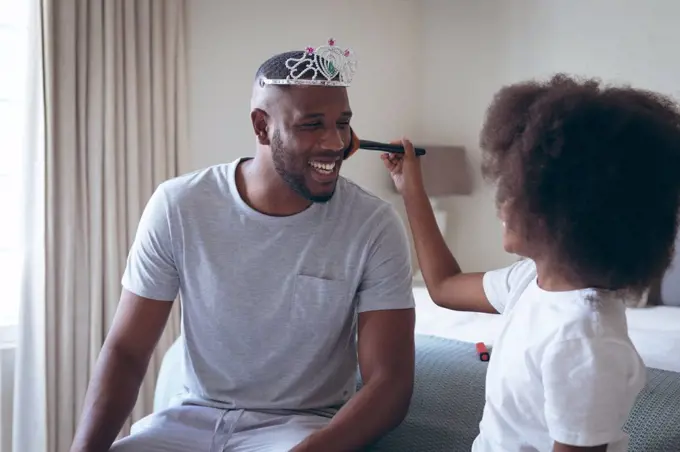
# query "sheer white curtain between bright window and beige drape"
(29, 427)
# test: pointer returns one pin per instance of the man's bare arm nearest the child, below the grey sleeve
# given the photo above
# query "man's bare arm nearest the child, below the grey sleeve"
(386, 360)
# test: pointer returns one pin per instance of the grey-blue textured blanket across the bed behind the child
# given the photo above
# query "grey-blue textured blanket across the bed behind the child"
(449, 397)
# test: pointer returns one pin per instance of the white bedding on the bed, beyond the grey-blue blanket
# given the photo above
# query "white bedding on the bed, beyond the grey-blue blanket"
(655, 331)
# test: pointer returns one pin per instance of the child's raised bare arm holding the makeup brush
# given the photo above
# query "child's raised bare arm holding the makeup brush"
(448, 286)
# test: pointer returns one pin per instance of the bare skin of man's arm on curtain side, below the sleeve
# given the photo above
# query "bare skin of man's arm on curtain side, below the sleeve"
(120, 369)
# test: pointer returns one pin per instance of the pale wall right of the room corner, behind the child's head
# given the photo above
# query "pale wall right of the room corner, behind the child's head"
(472, 48)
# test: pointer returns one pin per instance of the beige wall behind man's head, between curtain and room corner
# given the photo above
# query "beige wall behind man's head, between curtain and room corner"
(229, 40)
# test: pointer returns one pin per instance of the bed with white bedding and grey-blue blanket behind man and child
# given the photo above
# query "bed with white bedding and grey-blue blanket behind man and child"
(449, 383)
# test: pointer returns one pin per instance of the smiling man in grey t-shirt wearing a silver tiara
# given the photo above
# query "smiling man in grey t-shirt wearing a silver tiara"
(289, 276)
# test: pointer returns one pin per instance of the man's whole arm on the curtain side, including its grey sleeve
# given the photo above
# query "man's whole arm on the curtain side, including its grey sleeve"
(151, 283)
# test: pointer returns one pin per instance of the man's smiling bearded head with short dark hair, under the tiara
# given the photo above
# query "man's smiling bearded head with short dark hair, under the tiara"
(304, 128)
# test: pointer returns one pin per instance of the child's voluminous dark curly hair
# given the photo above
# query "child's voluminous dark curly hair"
(591, 176)
